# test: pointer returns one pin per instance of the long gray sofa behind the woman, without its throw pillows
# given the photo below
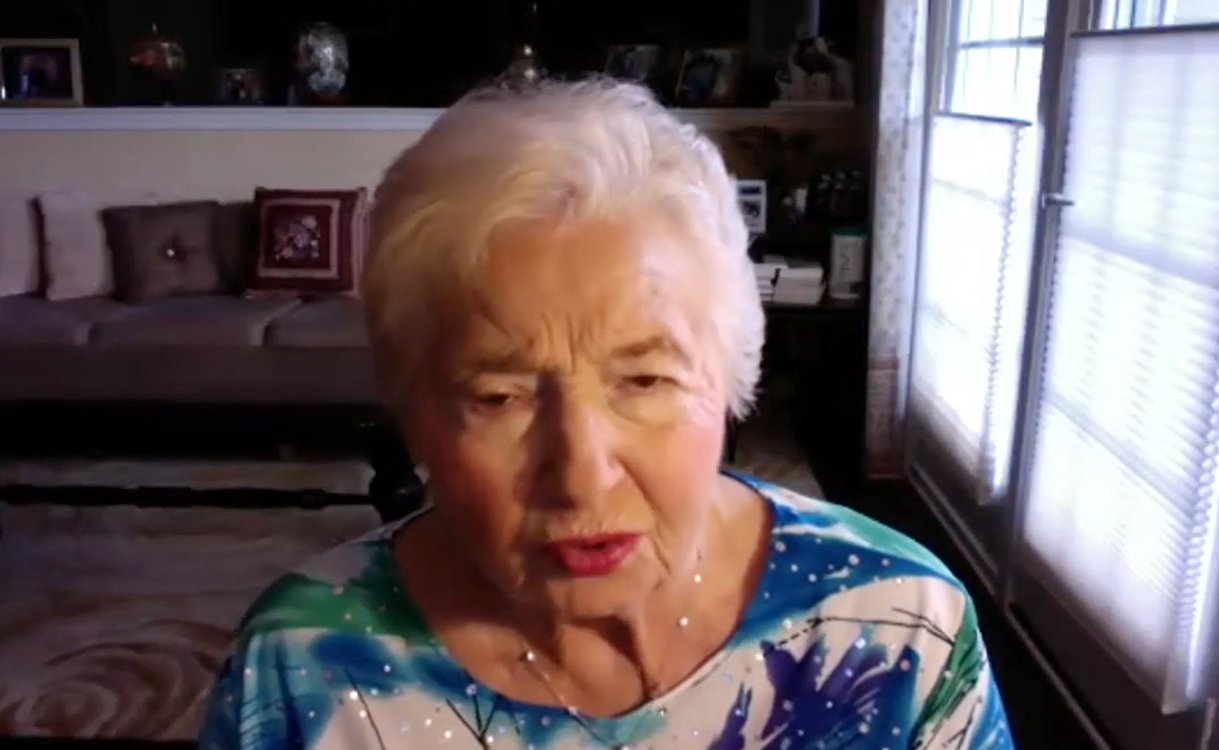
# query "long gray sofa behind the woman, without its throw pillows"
(194, 349)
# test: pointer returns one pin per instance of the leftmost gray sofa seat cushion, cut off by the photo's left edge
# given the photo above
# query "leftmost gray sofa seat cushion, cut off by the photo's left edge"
(37, 321)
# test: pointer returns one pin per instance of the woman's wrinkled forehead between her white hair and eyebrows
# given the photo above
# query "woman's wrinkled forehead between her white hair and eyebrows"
(591, 291)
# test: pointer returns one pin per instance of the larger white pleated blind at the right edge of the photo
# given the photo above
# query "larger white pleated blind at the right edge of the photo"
(1123, 501)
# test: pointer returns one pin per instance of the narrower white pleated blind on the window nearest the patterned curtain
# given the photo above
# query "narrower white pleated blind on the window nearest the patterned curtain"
(972, 293)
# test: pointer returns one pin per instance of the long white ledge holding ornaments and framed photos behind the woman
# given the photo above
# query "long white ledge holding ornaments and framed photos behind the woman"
(352, 119)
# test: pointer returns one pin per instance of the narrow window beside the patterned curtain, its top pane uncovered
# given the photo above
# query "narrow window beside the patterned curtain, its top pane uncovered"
(973, 266)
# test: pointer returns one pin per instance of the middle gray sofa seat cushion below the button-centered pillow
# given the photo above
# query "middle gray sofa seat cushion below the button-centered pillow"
(193, 321)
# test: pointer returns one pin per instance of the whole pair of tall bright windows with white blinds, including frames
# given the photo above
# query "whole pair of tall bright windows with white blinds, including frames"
(1115, 342)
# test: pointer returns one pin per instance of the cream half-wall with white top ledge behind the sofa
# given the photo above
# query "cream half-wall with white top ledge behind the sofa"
(136, 155)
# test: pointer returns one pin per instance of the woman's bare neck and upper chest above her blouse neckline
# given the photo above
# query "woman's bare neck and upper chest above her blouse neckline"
(641, 653)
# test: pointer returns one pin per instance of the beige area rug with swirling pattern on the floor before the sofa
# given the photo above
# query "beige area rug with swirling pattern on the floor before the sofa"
(115, 619)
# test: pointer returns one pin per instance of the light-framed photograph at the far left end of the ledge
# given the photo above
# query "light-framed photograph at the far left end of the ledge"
(41, 74)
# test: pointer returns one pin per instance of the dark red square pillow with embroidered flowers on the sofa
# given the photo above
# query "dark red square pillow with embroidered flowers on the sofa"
(310, 242)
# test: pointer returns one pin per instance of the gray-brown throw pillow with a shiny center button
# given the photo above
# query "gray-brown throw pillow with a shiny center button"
(164, 251)
